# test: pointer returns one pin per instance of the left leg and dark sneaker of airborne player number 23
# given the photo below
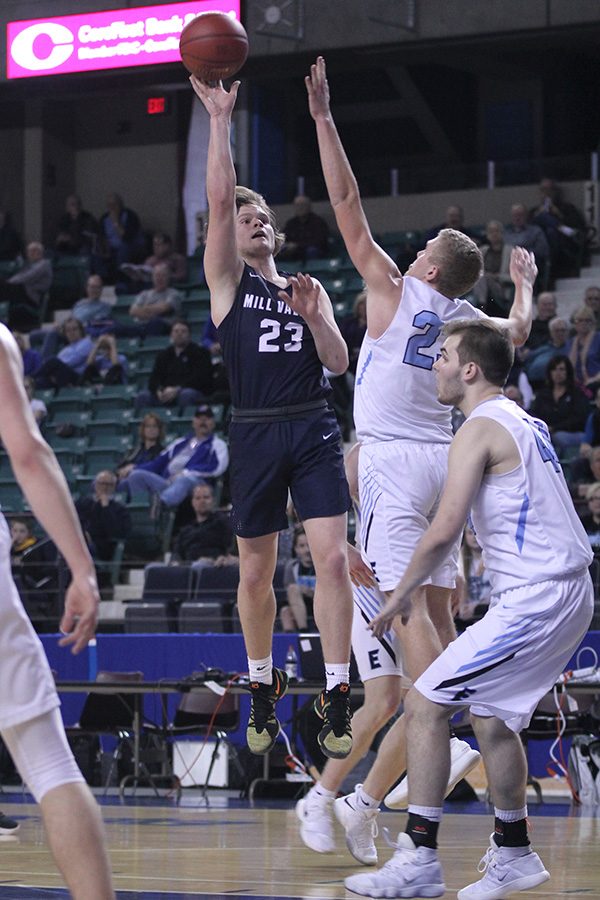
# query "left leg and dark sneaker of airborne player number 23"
(257, 608)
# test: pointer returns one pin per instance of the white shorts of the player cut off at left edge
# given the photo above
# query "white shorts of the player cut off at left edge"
(28, 685)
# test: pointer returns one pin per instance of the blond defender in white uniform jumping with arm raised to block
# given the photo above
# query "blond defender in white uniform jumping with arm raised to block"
(404, 431)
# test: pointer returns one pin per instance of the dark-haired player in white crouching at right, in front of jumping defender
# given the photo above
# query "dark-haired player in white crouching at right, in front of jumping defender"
(504, 469)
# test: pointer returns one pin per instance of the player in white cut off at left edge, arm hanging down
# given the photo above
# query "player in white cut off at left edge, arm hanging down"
(30, 720)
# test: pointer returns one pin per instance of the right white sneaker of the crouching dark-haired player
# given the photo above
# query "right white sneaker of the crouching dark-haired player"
(505, 873)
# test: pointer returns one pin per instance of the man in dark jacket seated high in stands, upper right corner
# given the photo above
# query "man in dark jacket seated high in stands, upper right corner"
(564, 227)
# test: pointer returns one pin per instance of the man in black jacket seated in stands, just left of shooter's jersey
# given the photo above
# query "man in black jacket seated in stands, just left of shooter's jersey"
(182, 374)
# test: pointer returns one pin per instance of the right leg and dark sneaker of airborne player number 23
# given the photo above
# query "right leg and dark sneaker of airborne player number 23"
(333, 610)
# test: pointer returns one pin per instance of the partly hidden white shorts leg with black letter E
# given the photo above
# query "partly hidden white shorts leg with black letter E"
(374, 656)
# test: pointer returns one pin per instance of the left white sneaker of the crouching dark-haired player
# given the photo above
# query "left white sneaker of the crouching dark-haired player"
(411, 872)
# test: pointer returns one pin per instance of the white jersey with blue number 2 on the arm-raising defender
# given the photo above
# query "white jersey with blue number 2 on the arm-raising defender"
(394, 391)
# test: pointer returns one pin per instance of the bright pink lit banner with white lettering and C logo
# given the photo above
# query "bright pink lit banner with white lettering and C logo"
(113, 39)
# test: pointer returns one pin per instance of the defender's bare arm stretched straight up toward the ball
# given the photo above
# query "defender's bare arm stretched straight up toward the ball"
(376, 267)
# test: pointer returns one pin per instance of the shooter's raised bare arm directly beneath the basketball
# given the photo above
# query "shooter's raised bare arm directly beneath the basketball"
(223, 265)
